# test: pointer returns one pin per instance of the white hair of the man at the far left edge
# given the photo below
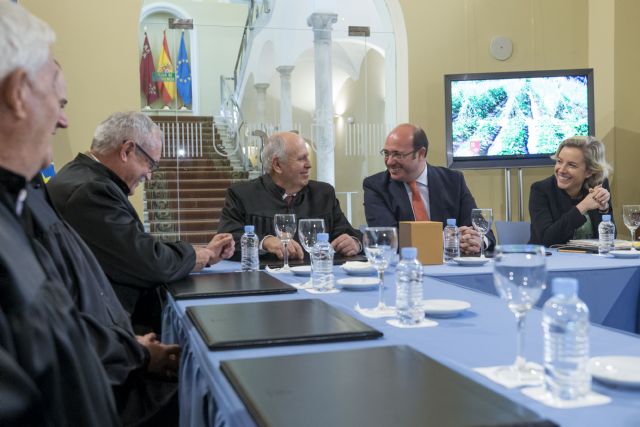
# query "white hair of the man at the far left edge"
(25, 40)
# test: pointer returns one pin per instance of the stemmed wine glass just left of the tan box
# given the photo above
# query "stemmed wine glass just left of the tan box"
(380, 246)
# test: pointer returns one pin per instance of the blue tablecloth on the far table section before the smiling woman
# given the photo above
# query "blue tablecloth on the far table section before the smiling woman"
(609, 286)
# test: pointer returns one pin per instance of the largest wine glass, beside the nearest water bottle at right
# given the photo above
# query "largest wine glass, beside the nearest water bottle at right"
(519, 275)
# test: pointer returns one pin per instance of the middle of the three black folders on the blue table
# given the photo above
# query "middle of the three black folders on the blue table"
(258, 324)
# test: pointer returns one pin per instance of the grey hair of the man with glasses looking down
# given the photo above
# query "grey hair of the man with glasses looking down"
(119, 127)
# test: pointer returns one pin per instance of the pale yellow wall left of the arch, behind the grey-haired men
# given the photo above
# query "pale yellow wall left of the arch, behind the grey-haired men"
(97, 48)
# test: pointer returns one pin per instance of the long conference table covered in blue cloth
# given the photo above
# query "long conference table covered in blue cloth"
(484, 335)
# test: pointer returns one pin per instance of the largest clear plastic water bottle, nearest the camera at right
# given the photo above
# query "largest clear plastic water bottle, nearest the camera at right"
(566, 342)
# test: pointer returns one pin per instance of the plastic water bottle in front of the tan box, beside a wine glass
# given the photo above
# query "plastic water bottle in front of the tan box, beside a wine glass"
(409, 287)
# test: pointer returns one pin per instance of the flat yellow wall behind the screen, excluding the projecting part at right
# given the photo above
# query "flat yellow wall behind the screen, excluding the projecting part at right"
(453, 36)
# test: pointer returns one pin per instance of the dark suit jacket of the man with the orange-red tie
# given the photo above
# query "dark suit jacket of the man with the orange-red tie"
(386, 201)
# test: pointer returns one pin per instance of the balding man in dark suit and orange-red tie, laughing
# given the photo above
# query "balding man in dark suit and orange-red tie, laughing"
(413, 190)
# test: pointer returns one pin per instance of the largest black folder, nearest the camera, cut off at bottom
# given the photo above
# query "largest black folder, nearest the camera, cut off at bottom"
(379, 386)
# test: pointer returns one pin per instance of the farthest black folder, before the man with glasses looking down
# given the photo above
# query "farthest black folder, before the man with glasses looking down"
(228, 284)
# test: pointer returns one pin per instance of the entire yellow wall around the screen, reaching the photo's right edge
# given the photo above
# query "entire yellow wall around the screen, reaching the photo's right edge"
(453, 36)
